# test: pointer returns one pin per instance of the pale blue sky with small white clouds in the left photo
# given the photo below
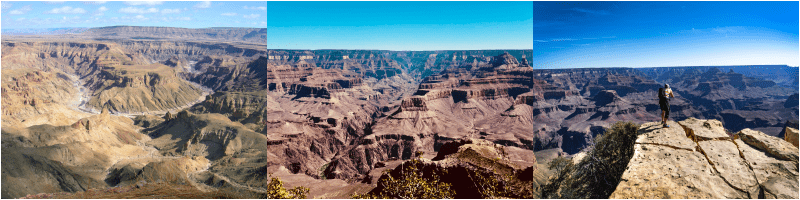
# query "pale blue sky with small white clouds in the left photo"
(186, 14)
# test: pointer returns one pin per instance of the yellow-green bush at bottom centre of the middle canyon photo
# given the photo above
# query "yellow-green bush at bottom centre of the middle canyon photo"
(410, 185)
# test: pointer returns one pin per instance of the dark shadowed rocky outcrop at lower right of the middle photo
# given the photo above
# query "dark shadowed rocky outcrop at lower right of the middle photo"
(466, 164)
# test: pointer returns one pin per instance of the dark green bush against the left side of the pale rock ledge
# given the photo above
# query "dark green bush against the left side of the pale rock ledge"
(598, 175)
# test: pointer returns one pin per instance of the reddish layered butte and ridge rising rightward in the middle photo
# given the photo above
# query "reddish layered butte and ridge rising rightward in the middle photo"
(463, 102)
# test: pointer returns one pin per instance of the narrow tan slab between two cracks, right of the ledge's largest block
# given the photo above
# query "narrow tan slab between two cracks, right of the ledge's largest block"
(726, 159)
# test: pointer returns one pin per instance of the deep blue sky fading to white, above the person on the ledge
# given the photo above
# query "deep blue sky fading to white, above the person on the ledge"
(650, 34)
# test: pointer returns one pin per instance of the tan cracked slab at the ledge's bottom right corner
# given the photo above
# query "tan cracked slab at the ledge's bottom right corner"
(778, 177)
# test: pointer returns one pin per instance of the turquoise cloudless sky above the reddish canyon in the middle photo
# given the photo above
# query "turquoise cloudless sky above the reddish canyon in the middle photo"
(400, 25)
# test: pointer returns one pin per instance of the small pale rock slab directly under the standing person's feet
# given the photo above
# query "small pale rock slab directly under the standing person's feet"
(674, 136)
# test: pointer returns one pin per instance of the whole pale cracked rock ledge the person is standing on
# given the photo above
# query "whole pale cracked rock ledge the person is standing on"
(696, 158)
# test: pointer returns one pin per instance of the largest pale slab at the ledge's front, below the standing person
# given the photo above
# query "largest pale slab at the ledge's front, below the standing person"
(688, 176)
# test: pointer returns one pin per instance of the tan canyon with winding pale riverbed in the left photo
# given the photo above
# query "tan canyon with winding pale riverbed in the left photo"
(134, 106)
